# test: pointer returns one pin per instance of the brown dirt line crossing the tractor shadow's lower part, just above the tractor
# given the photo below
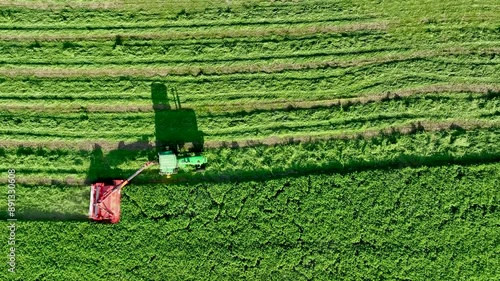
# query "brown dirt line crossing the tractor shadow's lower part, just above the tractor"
(409, 128)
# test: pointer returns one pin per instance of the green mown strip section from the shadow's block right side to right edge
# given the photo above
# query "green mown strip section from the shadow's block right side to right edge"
(339, 118)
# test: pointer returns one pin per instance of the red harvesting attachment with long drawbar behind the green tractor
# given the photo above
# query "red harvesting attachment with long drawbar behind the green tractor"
(105, 198)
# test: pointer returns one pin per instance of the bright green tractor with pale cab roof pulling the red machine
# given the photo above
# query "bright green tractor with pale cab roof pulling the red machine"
(170, 163)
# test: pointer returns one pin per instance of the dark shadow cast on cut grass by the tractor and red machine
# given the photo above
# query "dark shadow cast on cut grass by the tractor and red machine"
(176, 129)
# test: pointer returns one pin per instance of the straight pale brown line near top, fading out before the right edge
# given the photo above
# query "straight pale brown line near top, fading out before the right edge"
(203, 34)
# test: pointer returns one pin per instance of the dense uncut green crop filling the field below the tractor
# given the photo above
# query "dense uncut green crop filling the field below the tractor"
(406, 223)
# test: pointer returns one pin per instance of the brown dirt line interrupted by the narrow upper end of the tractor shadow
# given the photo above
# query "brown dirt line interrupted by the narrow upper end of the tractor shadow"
(272, 105)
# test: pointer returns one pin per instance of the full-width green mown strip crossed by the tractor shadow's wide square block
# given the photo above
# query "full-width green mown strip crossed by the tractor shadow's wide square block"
(257, 124)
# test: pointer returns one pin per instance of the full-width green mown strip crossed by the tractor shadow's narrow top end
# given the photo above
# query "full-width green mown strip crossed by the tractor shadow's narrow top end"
(228, 93)
